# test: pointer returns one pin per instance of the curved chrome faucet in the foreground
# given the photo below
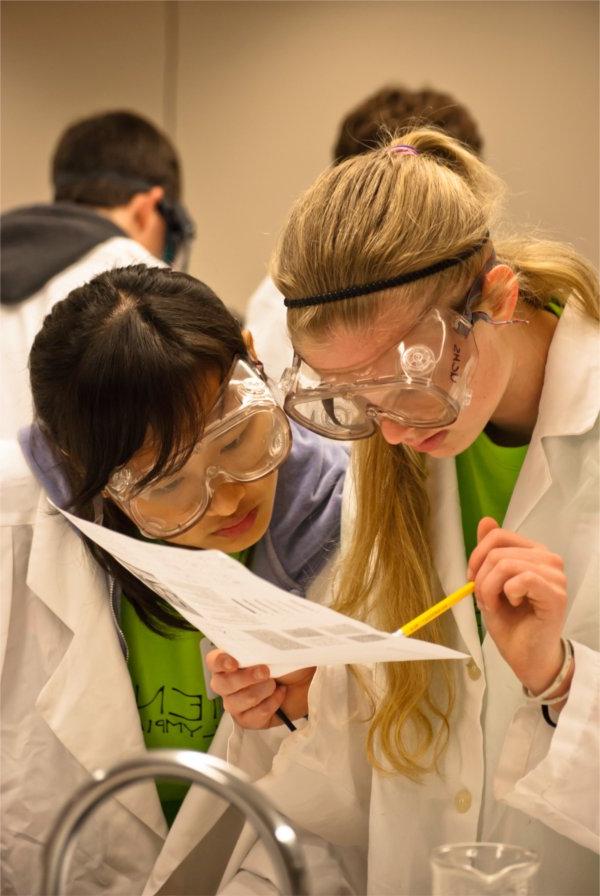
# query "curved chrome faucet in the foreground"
(185, 765)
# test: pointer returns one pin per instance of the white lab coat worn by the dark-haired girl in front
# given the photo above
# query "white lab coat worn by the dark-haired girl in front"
(68, 708)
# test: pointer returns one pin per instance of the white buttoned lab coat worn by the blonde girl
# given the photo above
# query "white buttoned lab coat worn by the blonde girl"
(507, 775)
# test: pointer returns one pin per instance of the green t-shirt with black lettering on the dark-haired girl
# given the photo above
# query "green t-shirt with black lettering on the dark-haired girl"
(170, 693)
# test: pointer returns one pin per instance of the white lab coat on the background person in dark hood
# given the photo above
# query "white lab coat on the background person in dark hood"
(20, 323)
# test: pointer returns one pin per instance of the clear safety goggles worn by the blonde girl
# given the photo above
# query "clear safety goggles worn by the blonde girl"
(423, 381)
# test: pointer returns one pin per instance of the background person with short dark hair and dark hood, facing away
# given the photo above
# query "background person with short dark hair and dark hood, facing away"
(117, 184)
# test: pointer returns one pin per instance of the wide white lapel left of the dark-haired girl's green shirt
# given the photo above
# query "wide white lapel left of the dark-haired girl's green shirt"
(88, 700)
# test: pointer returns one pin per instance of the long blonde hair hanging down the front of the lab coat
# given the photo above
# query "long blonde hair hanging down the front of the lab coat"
(386, 577)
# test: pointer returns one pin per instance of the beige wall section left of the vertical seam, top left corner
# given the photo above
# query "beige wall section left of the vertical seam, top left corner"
(64, 60)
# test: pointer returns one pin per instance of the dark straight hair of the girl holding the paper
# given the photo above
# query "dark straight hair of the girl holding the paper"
(125, 355)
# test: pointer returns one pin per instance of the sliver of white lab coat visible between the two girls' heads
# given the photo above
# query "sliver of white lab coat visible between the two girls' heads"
(266, 319)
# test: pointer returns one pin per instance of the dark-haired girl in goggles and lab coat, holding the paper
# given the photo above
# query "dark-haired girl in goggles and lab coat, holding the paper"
(153, 418)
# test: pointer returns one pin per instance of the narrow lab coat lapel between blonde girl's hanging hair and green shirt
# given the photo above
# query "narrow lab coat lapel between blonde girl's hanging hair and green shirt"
(449, 548)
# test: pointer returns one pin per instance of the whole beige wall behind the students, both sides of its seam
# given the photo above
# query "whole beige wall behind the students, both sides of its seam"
(252, 93)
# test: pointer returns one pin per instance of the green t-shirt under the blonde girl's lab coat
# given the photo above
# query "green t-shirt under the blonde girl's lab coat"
(487, 474)
